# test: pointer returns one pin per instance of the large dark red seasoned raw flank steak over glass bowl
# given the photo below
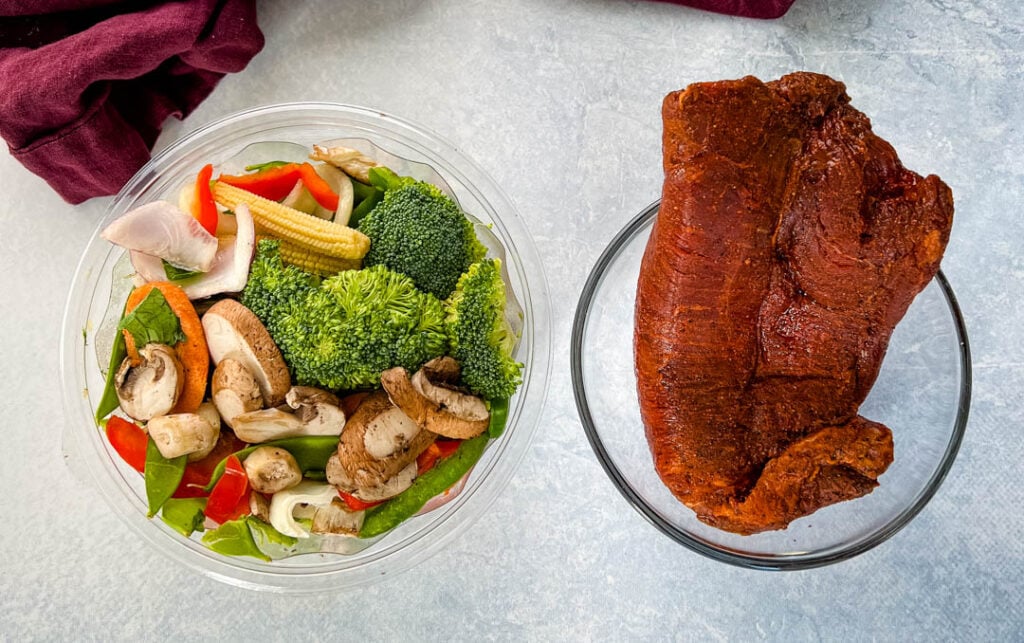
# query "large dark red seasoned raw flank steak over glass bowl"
(790, 243)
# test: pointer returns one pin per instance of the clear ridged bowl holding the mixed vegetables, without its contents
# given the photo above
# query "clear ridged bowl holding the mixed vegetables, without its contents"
(102, 283)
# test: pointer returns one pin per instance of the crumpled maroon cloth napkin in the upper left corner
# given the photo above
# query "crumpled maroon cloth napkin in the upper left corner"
(87, 85)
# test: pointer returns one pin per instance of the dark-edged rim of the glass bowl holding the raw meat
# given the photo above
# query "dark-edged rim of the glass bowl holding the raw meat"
(753, 562)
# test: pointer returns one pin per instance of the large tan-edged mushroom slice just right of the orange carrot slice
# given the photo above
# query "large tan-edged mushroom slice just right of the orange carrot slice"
(234, 331)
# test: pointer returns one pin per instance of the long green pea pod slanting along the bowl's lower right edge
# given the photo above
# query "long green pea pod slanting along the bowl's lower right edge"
(390, 515)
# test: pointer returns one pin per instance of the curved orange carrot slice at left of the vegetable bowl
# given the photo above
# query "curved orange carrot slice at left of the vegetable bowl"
(193, 353)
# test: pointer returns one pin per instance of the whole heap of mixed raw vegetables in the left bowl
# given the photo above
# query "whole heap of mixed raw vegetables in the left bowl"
(314, 353)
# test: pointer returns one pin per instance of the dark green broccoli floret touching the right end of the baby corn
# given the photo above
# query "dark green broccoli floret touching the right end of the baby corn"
(421, 233)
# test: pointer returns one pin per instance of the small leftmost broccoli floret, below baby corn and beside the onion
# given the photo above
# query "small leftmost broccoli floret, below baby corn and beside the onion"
(274, 286)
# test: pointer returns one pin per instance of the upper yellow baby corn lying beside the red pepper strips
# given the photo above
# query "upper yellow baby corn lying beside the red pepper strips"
(298, 229)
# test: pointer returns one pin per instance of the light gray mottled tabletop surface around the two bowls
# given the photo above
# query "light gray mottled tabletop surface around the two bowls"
(560, 101)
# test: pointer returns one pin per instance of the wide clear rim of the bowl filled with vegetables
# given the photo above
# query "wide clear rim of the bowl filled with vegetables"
(431, 149)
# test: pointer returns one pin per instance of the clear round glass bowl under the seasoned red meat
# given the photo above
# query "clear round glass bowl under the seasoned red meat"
(923, 393)
